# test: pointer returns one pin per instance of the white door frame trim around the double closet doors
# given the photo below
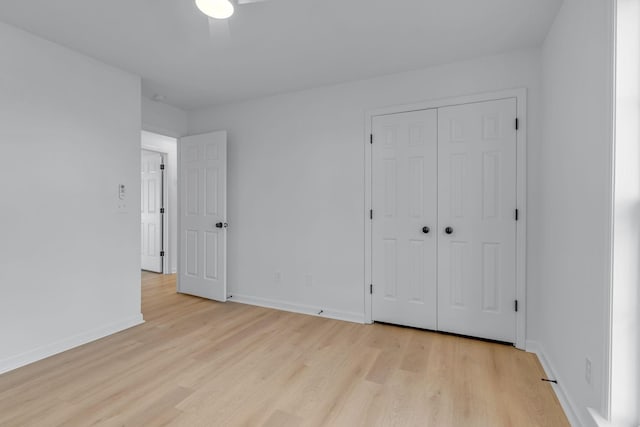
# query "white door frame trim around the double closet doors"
(520, 94)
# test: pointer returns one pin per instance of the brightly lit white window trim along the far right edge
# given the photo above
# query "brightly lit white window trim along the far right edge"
(625, 393)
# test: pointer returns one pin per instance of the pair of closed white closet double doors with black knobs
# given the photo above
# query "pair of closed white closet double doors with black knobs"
(445, 218)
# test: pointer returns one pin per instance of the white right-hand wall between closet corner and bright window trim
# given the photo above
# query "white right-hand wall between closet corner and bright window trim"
(572, 263)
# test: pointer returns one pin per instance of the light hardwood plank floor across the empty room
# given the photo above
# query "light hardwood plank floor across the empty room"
(201, 363)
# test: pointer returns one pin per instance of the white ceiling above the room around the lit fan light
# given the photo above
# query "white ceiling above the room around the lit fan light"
(279, 45)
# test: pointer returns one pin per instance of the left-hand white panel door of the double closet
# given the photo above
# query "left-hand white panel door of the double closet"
(404, 198)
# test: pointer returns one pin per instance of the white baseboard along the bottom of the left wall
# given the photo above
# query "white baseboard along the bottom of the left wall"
(65, 344)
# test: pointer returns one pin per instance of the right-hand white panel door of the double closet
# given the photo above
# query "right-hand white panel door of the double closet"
(477, 200)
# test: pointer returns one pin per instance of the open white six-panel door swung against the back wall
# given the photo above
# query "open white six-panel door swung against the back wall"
(202, 269)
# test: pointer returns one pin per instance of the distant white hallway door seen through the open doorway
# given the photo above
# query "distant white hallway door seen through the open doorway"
(151, 216)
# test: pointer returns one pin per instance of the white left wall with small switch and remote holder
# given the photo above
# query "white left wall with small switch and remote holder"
(69, 262)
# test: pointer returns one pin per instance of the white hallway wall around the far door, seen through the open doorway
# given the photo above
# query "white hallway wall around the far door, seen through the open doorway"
(168, 145)
